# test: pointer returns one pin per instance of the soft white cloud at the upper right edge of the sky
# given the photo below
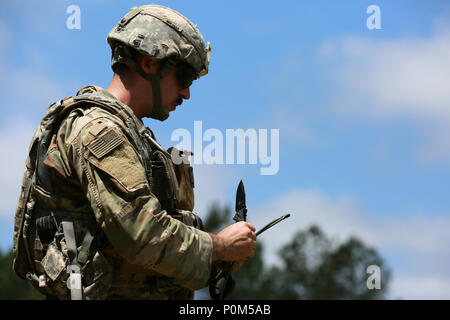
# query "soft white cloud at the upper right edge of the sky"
(399, 77)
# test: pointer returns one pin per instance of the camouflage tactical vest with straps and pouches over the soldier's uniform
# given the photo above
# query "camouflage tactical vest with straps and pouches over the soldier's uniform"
(53, 232)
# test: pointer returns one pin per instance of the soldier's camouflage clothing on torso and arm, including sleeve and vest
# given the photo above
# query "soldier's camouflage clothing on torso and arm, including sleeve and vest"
(135, 234)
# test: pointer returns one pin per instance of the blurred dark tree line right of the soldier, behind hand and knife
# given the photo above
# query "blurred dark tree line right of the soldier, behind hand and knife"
(312, 266)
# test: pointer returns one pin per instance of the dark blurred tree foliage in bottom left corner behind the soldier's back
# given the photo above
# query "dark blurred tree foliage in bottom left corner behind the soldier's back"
(12, 286)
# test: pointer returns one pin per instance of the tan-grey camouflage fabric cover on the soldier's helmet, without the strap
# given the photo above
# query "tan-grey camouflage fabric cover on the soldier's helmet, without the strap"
(160, 32)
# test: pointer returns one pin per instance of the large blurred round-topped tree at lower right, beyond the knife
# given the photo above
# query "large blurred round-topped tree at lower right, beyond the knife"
(314, 268)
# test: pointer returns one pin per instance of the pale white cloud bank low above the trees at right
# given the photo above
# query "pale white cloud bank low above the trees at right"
(423, 240)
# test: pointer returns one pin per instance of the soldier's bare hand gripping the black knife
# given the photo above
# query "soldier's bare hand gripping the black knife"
(236, 242)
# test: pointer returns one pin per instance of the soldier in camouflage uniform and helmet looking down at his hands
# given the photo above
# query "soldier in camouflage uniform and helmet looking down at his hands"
(105, 212)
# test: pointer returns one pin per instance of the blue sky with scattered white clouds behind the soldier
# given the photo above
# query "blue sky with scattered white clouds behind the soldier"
(363, 114)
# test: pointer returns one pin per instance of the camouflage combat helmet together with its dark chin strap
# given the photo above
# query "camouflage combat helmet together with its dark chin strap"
(163, 34)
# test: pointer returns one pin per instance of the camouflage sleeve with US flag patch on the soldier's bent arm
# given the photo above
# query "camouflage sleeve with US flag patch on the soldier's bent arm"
(114, 181)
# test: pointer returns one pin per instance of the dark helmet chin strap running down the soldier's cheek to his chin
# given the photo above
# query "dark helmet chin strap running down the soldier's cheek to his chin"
(121, 54)
